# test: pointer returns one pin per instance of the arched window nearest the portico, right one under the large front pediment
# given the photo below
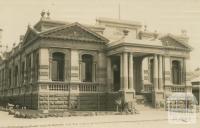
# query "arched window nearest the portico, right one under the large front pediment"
(86, 68)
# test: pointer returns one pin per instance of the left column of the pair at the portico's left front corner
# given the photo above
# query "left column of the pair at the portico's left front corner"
(125, 70)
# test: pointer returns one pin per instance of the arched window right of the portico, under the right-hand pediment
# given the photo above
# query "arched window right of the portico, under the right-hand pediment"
(176, 72)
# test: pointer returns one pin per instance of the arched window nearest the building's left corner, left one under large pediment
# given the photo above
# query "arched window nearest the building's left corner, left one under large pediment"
(58, 66)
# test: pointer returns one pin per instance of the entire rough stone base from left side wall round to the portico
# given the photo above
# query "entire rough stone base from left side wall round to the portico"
(64, 101)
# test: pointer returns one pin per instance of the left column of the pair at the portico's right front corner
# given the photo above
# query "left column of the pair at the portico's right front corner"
(155, 73)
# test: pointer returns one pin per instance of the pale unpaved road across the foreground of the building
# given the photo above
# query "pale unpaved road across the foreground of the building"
(147, 119)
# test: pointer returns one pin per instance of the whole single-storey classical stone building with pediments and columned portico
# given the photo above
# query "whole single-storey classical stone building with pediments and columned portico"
(62, 65)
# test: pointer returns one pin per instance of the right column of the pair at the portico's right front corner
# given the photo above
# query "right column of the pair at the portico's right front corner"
(160, 79)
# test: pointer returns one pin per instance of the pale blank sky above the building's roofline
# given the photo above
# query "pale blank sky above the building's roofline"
(165, 16)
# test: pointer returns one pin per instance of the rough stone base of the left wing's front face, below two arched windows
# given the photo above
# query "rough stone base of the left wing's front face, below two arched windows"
(64, 101)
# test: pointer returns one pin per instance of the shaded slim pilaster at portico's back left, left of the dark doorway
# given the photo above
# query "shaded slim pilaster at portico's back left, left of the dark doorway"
(109, 74)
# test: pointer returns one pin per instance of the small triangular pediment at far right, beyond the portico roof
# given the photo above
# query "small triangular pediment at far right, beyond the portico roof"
(169, 41)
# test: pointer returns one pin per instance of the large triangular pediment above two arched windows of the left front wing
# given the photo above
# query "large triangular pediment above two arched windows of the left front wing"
(74, 32)
